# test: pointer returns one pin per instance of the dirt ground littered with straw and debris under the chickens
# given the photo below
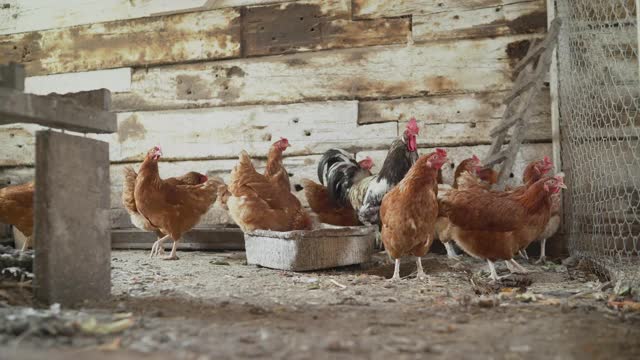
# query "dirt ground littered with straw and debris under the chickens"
(212, 305)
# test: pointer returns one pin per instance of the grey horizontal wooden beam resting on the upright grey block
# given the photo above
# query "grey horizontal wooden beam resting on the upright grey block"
(17, 107)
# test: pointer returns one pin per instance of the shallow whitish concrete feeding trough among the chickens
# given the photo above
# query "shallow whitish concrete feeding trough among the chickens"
(322, 248)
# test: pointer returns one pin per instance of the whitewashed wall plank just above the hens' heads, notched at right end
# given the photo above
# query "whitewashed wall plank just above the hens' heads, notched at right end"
(212, 133)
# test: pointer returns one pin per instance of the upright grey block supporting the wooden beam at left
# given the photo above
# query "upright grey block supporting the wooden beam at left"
(72, 234)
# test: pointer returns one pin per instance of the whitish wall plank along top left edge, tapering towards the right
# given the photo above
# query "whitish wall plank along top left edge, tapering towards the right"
(18, 16)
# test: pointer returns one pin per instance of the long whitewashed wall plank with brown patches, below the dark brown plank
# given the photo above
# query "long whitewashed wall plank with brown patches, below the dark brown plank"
(364, 73)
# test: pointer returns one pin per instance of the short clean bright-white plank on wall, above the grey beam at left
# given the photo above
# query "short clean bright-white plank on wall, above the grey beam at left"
(114, 80)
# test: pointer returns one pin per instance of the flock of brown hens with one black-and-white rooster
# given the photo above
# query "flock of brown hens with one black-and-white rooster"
(405, 199)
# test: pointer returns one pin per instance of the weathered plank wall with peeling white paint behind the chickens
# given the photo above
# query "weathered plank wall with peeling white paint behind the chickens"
(206, 79)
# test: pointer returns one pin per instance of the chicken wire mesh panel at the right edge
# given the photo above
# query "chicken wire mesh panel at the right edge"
(599, 99)
